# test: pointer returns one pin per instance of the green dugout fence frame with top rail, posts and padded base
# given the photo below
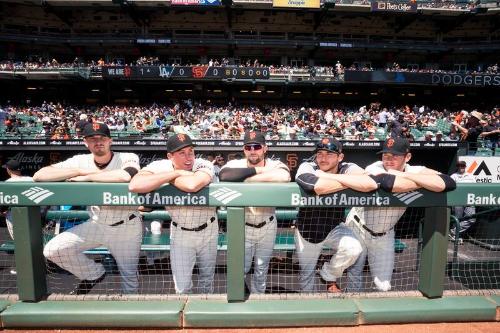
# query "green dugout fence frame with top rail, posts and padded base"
(432, 301)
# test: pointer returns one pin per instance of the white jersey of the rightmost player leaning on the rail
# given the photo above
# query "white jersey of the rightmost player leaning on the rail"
(378, 219)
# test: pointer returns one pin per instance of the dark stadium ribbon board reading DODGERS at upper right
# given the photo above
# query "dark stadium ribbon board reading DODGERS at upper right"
(442, 79)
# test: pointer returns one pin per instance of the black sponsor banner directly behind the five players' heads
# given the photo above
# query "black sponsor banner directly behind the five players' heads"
(292, 153)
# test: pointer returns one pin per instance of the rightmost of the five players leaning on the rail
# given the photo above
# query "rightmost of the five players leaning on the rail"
(374, 226)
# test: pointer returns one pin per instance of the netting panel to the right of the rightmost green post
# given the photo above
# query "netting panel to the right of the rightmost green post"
(474, 249)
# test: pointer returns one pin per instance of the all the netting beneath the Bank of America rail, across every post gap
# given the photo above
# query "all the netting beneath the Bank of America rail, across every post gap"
(375, 250)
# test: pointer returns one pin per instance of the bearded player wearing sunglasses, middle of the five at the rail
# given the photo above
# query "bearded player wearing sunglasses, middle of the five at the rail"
(260, 222)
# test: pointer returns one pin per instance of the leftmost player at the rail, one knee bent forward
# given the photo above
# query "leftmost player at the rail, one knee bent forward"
(117, 228)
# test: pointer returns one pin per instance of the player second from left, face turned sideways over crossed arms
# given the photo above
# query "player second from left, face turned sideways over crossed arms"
(194, 230)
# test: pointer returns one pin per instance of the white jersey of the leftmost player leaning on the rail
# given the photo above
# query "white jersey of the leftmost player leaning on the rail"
(104, 214)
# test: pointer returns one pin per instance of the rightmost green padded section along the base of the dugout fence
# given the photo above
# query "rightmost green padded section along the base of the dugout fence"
(414, 310)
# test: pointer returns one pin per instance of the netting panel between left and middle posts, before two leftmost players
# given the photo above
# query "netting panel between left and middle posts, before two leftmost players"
(159, 256)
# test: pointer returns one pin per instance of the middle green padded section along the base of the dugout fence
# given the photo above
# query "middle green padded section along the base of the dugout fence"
(272, 313)
